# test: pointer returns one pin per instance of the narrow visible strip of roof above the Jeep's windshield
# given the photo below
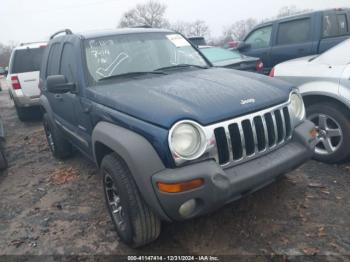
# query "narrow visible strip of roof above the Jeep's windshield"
(122, 31)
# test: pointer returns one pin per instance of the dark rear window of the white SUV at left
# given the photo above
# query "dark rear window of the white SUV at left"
(27, 60)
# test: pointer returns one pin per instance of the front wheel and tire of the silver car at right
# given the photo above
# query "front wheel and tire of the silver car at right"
(332, 123)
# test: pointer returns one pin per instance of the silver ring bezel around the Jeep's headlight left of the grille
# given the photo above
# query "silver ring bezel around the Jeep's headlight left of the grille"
(177, 156)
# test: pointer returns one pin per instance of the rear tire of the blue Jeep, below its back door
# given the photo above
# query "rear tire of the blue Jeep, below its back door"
(60, 147)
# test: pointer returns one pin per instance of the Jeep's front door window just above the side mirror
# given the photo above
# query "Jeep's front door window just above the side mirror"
(68, 64)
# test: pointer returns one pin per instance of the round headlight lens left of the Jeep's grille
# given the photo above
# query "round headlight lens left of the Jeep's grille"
(186, 140)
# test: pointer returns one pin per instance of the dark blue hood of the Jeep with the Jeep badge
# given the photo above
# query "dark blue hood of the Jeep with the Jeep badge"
(205, 96)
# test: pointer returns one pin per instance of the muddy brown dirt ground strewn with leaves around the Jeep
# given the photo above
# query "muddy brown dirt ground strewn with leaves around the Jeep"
(51, 207)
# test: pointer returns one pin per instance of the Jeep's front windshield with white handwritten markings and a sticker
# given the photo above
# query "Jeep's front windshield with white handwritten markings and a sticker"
(144, 52)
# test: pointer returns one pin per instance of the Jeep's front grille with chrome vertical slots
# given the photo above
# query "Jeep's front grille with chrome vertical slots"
(250, 136)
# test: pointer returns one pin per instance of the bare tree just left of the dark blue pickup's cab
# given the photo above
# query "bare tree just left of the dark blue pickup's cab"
(239, 29)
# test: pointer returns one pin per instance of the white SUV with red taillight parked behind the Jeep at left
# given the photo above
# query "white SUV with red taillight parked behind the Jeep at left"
(23, 77)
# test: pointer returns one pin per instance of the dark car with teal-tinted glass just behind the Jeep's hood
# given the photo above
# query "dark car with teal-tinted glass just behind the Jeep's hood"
(233, 59)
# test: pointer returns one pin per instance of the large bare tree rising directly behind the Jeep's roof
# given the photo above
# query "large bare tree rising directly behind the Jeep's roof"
(151, 14)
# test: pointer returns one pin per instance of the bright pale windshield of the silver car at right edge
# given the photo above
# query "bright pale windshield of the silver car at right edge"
(338, 55)
